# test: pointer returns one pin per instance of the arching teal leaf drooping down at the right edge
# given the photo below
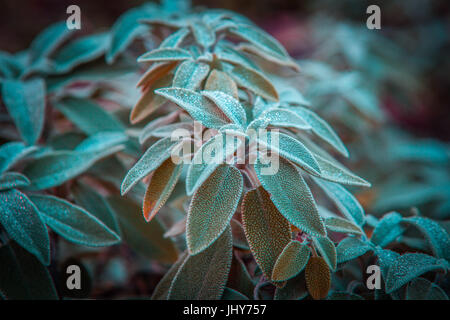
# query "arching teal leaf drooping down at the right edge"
(437, 236)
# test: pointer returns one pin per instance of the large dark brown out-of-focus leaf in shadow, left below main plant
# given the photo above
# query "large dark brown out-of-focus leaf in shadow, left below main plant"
(146, 238)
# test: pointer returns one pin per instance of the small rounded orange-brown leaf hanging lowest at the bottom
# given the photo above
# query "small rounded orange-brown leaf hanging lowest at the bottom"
(318, 278)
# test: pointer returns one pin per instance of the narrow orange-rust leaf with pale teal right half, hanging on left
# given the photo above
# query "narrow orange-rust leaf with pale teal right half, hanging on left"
(160, 187)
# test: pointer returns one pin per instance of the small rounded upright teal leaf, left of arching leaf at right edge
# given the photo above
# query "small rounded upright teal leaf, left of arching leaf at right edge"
(388, 229)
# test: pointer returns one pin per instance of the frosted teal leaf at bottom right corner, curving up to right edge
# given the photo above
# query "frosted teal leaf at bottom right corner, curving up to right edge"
(409, 266)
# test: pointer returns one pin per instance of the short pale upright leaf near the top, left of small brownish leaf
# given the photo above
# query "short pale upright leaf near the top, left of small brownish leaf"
(190, 74)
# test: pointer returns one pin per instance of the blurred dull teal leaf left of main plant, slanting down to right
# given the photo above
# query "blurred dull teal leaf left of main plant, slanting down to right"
(88, 116)
